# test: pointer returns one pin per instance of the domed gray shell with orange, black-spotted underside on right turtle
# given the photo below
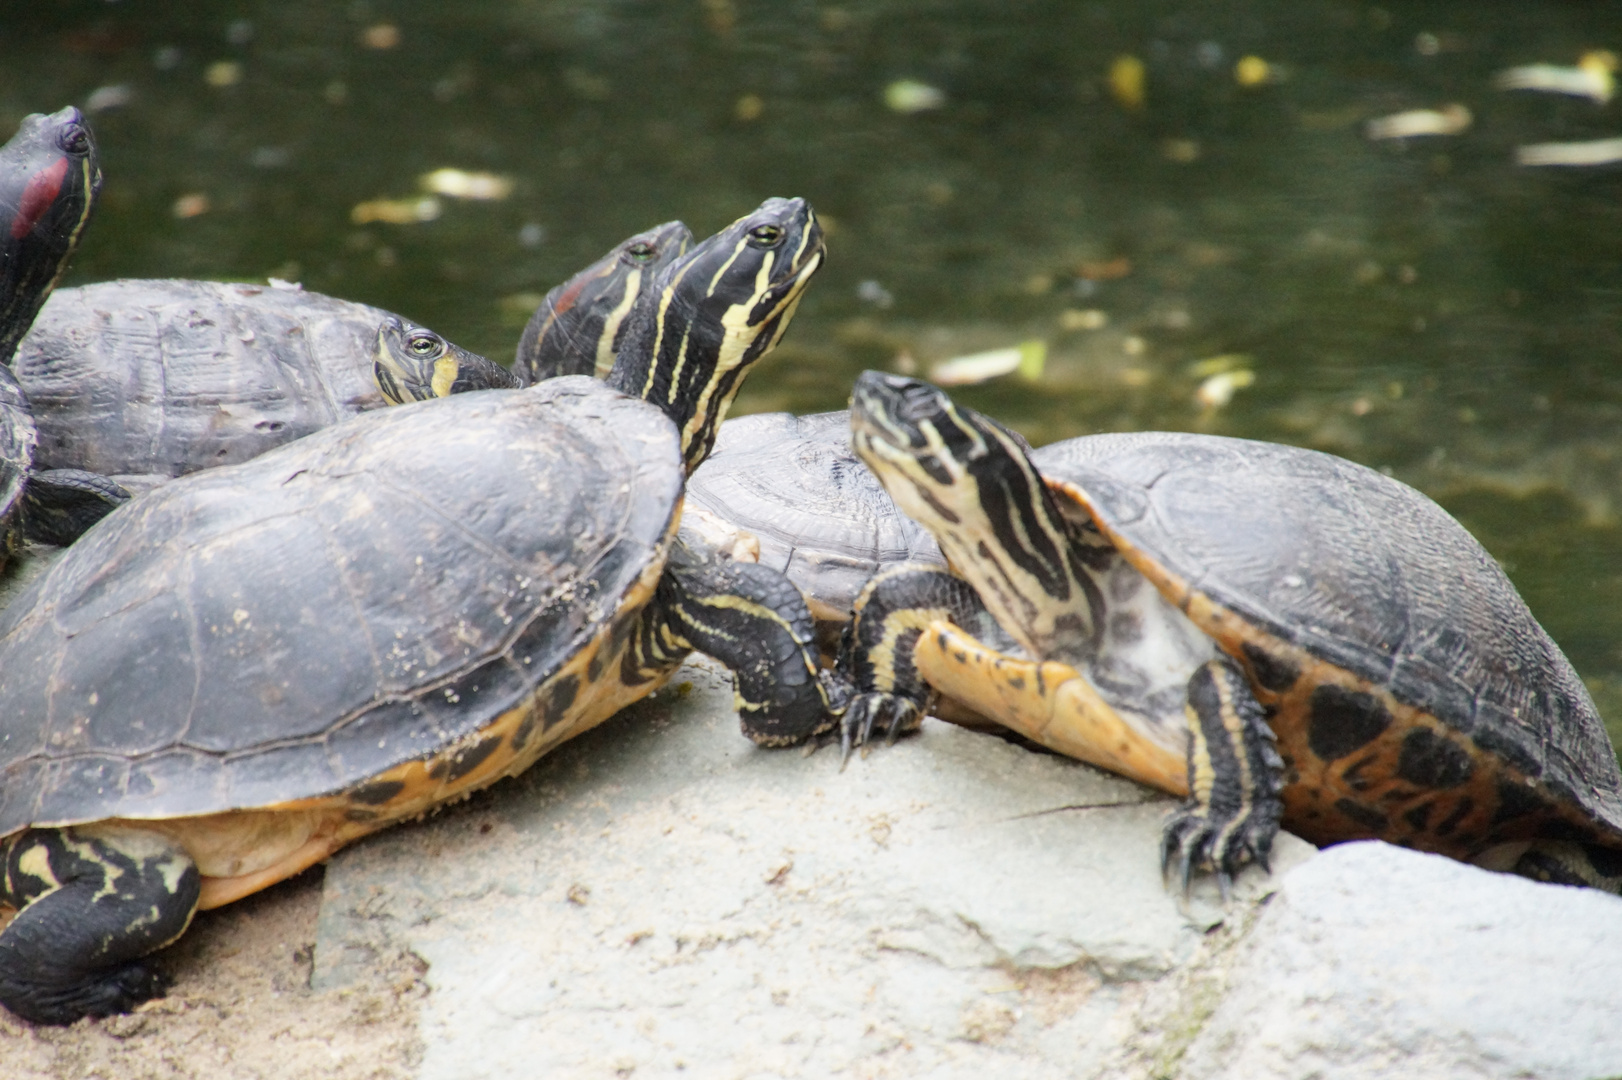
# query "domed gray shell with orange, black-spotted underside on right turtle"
(1367, 604)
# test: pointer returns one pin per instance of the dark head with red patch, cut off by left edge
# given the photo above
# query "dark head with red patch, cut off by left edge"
(49, 178)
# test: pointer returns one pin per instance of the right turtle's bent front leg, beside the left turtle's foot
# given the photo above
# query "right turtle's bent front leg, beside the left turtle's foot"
(877, 656)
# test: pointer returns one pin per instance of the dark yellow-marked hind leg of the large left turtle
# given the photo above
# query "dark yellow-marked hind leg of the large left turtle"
(92, 902)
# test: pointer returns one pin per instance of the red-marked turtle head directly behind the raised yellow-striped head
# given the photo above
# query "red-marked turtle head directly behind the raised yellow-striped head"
(581, 324)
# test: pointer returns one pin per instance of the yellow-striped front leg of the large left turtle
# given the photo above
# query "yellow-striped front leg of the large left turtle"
(758, 624)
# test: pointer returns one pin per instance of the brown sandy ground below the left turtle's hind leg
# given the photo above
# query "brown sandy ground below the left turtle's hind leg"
(241, 1008)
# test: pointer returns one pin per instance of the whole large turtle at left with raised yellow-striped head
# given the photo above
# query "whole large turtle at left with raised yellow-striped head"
(242, 671)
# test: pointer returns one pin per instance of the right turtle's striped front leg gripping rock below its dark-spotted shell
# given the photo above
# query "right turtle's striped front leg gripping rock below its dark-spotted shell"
(1235, 781)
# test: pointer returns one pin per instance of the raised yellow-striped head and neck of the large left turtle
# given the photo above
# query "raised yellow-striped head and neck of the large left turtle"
(713, 314)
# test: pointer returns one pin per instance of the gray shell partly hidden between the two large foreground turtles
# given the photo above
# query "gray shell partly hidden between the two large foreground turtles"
(820, 515)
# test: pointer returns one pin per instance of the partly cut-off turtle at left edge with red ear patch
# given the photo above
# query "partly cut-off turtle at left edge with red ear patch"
(49, 181)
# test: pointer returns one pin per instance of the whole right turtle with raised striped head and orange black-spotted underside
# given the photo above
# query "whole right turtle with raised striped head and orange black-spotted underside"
(1274, 633)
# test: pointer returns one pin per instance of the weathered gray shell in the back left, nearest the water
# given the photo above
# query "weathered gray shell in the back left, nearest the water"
(148, 380)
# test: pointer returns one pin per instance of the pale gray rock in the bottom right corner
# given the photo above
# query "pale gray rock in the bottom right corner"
(1381, 962)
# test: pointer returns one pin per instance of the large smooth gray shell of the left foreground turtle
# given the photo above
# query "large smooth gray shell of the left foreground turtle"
(361, 599)
